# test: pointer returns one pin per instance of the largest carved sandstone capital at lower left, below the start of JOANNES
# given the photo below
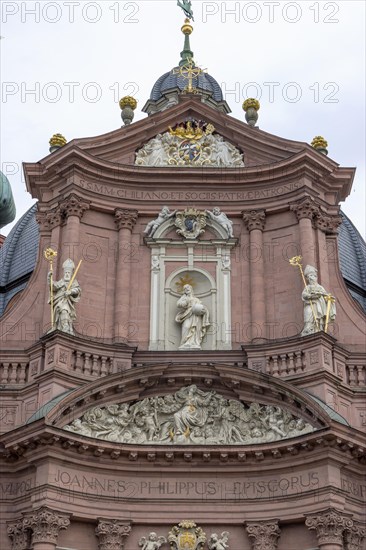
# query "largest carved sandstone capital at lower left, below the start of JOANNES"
(46, 524)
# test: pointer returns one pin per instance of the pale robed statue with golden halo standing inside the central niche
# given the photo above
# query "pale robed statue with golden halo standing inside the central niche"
(194, 318)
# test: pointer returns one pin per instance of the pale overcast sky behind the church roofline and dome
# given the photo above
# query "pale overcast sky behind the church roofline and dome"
(312, 50)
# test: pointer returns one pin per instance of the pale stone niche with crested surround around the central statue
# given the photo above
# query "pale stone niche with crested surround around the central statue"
(198, 257)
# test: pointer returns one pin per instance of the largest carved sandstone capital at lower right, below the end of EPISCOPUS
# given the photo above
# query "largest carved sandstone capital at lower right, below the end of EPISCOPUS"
(329, 525)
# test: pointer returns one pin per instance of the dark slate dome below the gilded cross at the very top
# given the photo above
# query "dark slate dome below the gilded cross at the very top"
(170, 80)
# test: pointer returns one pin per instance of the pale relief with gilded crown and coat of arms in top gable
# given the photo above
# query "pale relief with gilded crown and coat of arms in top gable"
(191, 143)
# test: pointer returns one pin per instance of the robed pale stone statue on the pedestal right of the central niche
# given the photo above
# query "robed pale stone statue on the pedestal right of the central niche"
(319, 306)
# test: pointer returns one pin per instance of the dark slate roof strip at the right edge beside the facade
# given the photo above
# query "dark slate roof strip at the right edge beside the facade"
(352, 259)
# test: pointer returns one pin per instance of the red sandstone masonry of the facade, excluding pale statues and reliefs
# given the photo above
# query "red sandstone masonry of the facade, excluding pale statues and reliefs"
(70, 491)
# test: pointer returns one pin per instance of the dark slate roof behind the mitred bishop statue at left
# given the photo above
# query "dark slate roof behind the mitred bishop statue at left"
(18, 256)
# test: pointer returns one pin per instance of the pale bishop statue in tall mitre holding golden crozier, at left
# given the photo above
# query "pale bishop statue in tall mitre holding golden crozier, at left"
(64, 298)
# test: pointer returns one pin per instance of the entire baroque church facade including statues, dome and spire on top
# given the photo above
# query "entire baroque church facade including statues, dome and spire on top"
(198, 379)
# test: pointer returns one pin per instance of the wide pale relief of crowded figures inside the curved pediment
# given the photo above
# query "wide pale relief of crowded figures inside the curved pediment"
(190, 416)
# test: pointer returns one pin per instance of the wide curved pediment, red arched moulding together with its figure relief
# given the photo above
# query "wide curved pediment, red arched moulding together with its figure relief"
(225, 397)
